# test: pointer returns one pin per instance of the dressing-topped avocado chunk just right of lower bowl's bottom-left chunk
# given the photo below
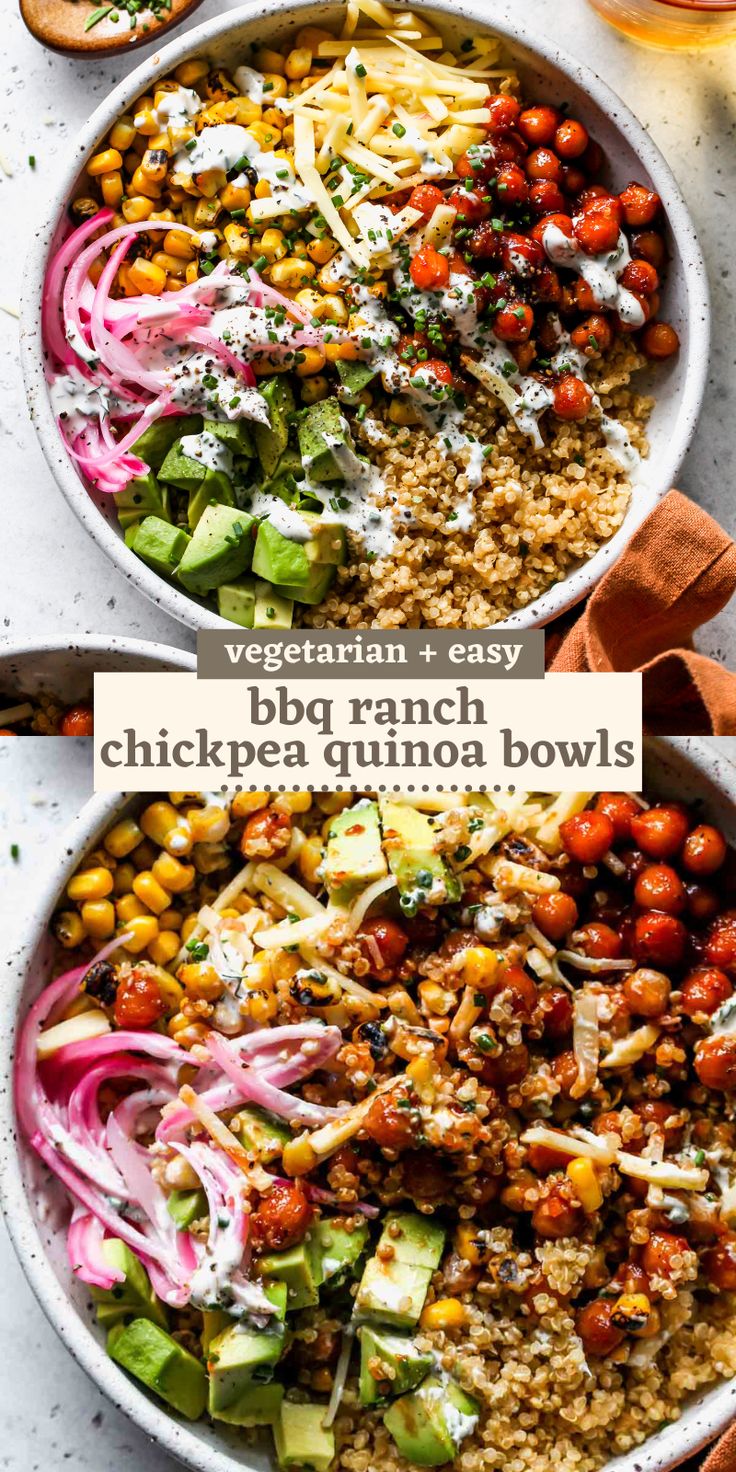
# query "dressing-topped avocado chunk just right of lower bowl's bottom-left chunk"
(242, 1355)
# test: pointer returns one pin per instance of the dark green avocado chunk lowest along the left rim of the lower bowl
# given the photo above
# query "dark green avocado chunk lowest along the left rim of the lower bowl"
(157, 1359)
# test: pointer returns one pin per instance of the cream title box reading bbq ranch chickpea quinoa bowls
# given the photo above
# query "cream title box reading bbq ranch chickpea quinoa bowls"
(559, 734)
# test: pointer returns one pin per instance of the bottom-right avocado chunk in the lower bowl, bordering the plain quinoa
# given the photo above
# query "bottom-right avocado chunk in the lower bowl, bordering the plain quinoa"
(429, 1424)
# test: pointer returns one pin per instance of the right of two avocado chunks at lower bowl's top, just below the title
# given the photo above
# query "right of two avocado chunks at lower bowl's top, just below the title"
(422, 874)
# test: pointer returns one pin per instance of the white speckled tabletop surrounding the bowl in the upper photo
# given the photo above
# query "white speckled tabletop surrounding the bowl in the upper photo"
(687, 104)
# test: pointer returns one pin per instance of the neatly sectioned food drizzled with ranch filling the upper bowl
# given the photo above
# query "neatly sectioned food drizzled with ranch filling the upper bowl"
(348, 330)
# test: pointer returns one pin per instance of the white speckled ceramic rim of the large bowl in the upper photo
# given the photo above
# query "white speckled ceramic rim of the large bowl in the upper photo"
(550, 74)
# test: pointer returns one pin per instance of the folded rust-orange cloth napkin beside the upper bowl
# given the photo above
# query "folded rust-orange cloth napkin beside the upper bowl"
(676, 573)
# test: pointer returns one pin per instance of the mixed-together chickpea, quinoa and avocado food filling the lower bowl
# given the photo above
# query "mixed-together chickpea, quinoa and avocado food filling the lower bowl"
(403, 1128)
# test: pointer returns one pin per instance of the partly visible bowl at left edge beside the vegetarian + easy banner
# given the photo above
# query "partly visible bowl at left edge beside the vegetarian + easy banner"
(67, 670)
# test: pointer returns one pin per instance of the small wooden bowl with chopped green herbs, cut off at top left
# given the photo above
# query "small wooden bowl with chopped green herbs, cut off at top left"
(61, 26)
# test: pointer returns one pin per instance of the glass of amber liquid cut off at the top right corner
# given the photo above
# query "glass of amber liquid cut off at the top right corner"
(672, 24)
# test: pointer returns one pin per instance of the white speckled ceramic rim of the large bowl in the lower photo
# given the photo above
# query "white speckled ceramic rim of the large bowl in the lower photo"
(676, 768)
